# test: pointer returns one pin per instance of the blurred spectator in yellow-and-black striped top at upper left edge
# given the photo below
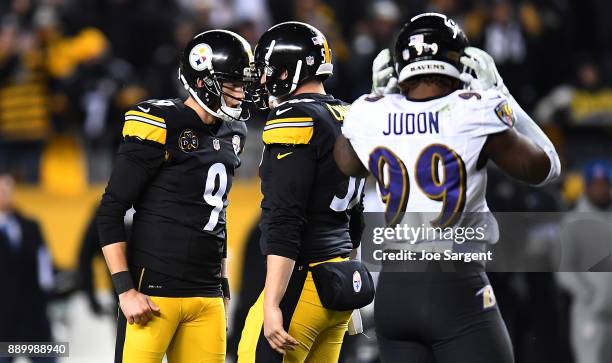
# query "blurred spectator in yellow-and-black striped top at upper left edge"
(25, 121)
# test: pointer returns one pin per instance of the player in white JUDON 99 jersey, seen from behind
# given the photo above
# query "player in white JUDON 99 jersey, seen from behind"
(428, 147)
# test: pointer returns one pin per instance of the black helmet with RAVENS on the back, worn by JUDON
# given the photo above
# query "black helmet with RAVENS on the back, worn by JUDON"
(429, 43)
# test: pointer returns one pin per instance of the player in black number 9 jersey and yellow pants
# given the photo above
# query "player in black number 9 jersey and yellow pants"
(175, 166)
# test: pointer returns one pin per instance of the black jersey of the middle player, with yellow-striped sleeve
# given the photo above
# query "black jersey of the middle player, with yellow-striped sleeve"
(307, 202)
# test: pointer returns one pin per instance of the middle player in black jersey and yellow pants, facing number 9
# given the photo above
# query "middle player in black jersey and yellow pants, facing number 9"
(310, 210)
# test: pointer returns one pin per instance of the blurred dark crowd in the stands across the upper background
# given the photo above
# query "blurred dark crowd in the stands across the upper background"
(71, 67)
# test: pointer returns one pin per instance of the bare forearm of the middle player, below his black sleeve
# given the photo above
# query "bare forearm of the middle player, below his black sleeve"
(278, 273)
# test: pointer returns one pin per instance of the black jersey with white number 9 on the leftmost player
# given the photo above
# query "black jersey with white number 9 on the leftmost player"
(179, 226)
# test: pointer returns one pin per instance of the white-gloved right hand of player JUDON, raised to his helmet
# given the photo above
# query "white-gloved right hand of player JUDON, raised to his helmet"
(483, 66)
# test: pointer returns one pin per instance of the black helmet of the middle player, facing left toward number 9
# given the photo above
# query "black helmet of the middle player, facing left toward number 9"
(298, 48)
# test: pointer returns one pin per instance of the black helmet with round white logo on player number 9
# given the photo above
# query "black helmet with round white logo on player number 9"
(211, 58)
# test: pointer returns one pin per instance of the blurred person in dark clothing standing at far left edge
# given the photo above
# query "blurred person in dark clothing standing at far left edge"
(26, 275)
